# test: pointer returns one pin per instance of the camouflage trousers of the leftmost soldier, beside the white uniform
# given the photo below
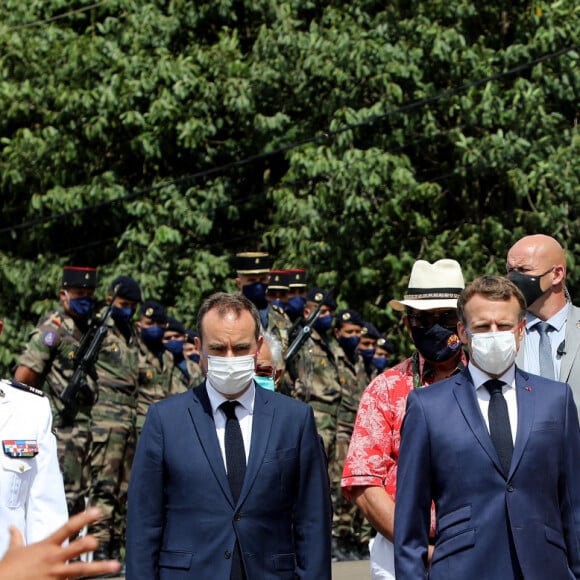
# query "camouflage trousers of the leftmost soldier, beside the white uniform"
(73, 448)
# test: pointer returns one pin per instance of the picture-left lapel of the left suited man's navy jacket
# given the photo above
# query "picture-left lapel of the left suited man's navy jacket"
(204, 425)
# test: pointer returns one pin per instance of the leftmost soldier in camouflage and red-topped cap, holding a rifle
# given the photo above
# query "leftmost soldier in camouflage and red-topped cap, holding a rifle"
(48, 363)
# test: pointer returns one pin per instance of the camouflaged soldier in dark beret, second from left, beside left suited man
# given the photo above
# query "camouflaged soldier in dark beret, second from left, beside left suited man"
(113, 418)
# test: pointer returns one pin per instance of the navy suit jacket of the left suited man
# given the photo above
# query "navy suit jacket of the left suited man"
(182, 520)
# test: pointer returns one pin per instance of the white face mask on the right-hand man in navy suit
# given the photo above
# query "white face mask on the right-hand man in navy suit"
(493, 352)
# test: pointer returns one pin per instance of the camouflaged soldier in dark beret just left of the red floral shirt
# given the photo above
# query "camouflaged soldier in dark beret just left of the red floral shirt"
(350, 531)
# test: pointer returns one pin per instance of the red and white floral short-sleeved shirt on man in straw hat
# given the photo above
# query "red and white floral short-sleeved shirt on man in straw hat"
(374, 447)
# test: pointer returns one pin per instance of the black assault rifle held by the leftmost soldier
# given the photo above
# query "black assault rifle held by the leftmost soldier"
(78, 392)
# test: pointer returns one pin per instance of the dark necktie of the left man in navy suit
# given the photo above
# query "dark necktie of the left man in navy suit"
(236, 467)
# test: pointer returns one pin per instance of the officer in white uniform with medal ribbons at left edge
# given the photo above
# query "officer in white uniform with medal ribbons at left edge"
(31, 487)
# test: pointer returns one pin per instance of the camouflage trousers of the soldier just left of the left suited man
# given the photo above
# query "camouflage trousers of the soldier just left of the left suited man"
(111, 458)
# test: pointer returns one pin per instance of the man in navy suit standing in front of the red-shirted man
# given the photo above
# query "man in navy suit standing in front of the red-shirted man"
(498, 452)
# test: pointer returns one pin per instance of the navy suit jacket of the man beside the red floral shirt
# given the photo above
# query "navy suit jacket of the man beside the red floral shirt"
(486, 520)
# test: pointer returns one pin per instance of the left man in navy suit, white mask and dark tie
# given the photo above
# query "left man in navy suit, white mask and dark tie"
(184, 520)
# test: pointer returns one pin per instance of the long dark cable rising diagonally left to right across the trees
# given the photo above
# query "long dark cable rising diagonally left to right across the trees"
(313, 139)
